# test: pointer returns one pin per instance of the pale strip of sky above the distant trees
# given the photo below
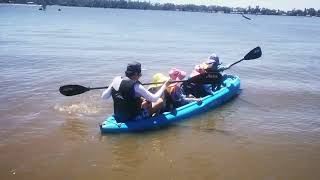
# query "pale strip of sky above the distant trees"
(272, 4)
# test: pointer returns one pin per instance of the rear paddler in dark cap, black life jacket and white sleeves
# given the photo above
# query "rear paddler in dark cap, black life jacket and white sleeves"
(131, 101)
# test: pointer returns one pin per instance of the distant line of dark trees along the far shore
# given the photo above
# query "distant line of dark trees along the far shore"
(128, 4)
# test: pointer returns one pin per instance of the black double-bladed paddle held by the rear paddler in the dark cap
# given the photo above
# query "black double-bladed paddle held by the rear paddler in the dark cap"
(71, 90)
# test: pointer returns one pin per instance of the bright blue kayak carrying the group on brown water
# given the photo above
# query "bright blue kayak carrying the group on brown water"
(230, 89)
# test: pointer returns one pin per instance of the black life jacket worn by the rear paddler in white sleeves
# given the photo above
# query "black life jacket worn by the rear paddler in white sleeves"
(125, 104)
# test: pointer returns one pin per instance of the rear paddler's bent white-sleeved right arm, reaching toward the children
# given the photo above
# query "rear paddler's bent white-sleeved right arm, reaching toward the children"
(140, 90)
